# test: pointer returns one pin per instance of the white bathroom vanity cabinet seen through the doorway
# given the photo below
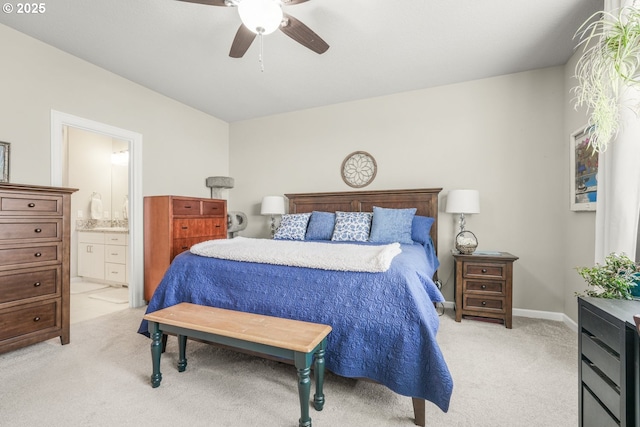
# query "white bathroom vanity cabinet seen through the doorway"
(102, 256)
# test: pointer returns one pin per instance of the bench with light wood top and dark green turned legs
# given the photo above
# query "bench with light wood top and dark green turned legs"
(302, 342)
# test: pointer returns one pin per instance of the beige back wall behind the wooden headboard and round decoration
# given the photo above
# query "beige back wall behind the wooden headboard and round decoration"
(503, 136)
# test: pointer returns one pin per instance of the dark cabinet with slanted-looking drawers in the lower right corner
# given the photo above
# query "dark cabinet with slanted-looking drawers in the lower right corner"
(609, 362)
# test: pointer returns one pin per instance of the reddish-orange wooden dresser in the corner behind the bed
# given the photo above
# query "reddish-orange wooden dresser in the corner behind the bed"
(172, 224)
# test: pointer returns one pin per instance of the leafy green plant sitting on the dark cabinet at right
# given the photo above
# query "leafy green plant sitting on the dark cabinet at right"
(616, 279)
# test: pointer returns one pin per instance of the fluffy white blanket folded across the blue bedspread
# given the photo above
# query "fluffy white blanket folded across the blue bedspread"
(325, 256)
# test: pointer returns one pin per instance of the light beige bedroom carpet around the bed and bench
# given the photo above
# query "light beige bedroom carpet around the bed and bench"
(526, 376)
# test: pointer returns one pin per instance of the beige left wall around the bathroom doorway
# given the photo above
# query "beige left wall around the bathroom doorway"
(181, 146)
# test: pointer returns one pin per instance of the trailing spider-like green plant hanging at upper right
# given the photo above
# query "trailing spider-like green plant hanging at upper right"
(610, 62)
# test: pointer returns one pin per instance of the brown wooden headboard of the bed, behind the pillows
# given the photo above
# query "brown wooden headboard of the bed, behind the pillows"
(425, 200)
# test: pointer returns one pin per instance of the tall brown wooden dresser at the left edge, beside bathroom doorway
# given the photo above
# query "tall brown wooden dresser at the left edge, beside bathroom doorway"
(34, 264)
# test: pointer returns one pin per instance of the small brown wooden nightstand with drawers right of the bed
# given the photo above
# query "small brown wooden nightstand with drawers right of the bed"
(484, 284)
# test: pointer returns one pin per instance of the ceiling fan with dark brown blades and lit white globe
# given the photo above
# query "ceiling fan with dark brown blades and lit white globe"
(261, 17)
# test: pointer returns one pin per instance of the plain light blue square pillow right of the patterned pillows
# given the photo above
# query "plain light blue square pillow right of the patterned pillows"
(392, 225)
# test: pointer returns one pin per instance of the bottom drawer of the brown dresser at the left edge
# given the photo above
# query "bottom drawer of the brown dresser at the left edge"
(29, 318)
